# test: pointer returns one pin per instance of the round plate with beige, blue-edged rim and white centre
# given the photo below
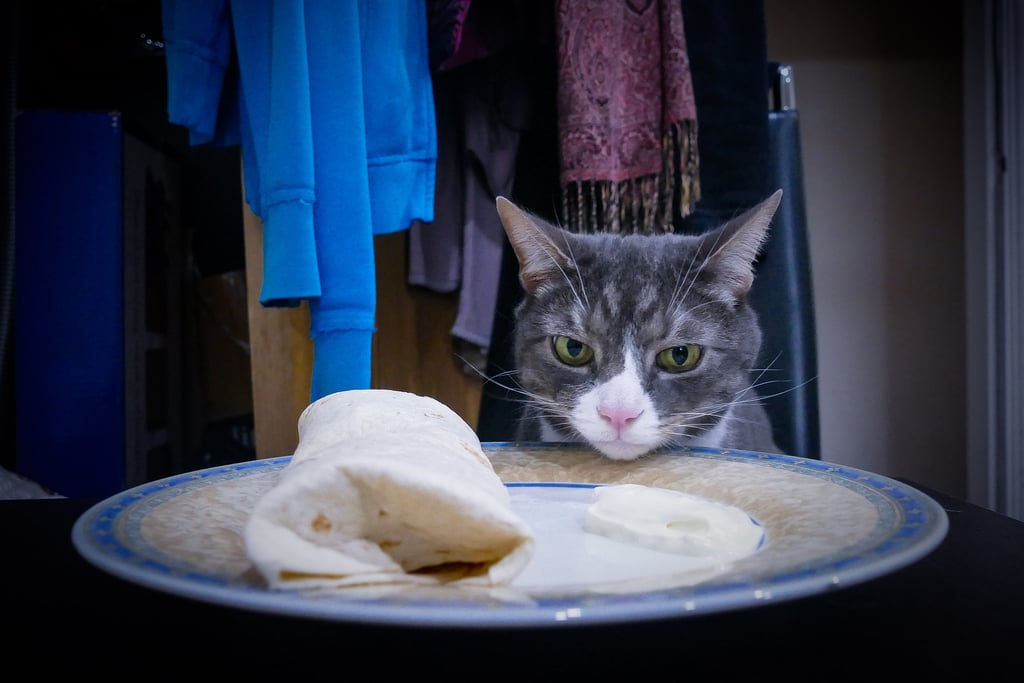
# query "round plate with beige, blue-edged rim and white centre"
(827, 527)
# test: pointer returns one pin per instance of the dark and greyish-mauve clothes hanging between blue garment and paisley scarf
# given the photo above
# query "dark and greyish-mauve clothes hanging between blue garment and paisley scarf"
(484, 102)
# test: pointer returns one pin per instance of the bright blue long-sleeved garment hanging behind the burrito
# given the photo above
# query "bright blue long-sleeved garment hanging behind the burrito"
(332, 105)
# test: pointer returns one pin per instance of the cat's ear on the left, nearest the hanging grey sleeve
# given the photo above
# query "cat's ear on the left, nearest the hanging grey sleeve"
(540, 247)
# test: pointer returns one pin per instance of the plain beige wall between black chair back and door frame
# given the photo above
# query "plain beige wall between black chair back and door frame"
(879, 94)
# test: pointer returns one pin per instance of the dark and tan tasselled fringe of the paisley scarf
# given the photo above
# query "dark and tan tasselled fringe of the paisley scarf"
(646, 205)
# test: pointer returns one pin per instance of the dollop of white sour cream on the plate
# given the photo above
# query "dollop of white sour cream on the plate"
(673, 522)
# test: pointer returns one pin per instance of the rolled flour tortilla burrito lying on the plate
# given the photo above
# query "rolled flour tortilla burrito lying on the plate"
(387, 488)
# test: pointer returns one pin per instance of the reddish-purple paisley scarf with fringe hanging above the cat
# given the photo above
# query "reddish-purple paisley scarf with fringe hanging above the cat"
(627, 116)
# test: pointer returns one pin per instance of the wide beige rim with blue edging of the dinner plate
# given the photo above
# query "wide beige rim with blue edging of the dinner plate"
(805, 506)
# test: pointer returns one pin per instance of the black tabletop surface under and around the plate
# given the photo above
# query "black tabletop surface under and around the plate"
(959, 612)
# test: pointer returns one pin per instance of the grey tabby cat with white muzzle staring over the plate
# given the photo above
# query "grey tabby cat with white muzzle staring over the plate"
(637, 343)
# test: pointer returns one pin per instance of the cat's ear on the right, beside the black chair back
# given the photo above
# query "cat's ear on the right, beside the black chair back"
(734, 248)
